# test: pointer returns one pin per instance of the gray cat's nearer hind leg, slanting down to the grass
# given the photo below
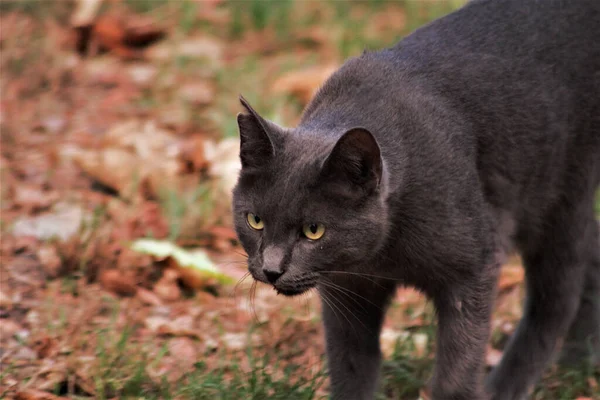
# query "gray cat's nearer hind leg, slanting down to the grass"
(556, 266)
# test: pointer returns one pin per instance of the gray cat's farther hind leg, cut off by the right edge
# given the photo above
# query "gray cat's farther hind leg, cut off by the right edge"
(582, 345)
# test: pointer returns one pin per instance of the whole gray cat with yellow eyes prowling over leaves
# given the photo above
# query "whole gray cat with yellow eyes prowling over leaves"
(422, 165)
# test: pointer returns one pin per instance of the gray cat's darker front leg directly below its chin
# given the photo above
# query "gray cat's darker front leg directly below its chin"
(353, 313)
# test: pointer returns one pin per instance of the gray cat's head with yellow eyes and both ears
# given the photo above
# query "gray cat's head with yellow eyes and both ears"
(307, 205)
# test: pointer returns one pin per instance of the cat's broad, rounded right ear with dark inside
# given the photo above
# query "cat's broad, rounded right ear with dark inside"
(355, 159)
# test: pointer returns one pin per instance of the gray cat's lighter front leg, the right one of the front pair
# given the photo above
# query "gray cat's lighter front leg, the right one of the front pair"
(463, 331)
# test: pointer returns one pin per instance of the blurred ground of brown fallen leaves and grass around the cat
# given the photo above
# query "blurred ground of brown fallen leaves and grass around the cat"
(120, 273)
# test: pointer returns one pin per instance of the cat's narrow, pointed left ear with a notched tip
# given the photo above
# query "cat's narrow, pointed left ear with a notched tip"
(256, 146)
